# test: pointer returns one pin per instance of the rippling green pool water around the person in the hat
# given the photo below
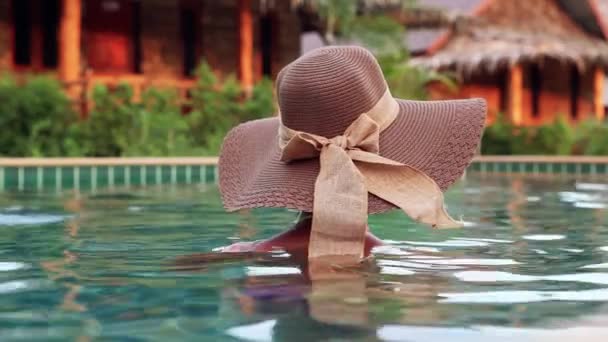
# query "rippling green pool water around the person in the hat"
(531, 264)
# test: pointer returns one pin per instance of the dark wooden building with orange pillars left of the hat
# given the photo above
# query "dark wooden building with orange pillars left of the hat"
(146, 42)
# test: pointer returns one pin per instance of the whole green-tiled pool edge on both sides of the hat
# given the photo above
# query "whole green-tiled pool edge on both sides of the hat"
(24, 174)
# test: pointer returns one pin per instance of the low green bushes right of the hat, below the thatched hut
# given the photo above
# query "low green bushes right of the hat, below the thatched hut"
(556, 138)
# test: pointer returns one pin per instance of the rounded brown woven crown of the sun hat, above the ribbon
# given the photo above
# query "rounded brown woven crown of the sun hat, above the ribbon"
(324, 91)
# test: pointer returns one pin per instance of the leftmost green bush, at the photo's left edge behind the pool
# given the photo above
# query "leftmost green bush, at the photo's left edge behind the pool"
(33, 117)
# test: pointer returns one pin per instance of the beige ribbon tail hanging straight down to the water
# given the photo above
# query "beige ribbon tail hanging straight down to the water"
(339, 209)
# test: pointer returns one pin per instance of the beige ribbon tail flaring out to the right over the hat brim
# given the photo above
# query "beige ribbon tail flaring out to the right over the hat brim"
(407, 188)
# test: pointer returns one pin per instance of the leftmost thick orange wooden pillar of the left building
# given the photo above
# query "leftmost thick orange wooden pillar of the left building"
(69, 45)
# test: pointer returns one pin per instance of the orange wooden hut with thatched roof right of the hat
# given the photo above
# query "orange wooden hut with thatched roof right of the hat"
(531, 60)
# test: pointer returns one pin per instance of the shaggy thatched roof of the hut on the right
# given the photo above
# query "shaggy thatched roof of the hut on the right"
(516, 31)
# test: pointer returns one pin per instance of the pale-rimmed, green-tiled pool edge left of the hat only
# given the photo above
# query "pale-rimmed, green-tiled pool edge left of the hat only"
(93, 174)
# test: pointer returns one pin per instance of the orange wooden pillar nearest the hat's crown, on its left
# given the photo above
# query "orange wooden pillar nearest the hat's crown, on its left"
(245, 45)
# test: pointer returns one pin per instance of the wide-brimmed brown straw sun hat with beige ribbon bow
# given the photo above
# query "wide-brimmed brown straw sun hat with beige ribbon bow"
(337, 116)
